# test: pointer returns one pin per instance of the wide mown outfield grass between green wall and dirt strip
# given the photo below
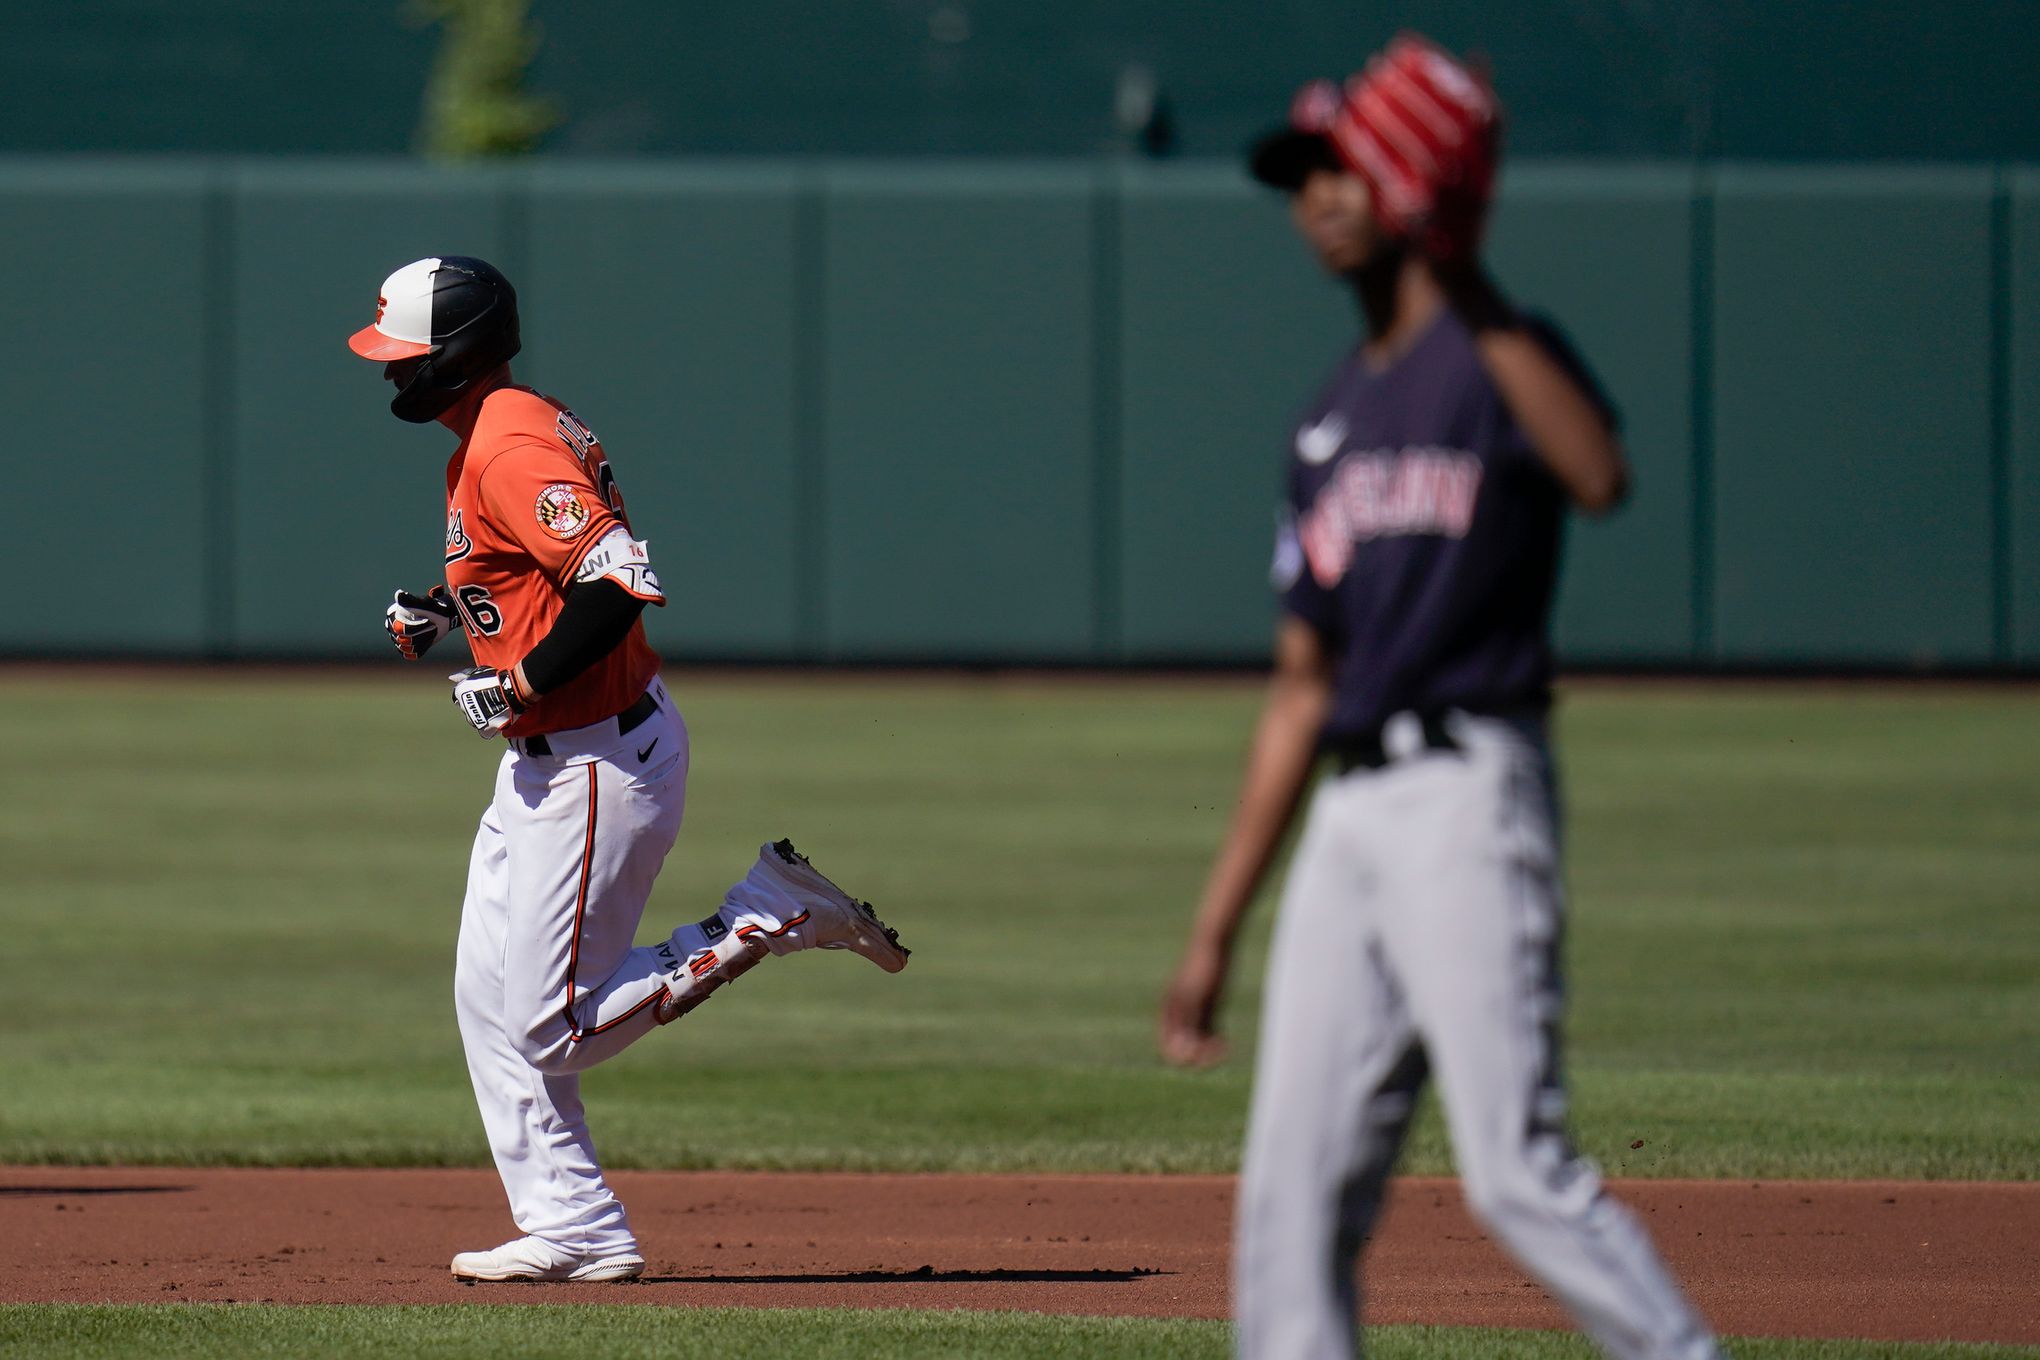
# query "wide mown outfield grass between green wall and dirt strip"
(1802, 935)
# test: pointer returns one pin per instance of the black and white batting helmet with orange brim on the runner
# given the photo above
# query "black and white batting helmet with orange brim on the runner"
(454, 313)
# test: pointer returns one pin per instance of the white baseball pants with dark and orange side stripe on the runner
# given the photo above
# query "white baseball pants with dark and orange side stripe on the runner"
(548, 982)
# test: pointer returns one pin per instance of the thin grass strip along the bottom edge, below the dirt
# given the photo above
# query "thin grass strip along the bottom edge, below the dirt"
(185, 1332)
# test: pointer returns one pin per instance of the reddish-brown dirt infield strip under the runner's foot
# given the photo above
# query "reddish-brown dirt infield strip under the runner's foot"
(1859, 1259)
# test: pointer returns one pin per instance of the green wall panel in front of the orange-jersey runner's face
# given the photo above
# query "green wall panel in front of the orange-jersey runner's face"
(336, 501)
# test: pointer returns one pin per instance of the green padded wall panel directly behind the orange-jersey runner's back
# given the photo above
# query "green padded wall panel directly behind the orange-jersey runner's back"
(668, 319)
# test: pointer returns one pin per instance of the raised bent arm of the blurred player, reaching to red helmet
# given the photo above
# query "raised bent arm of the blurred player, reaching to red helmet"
(1555, 413)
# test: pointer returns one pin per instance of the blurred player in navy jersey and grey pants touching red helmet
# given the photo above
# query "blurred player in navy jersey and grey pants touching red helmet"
(1421, 923)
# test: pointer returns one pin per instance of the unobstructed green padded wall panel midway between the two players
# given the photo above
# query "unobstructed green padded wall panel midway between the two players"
(958, 397)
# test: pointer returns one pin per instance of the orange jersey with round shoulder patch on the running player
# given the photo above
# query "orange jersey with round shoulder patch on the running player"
(527, 496)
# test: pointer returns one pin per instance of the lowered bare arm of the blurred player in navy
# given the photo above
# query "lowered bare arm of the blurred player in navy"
(1278, 770)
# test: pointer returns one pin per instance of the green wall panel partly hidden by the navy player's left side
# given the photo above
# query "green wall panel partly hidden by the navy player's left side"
(1225, 329)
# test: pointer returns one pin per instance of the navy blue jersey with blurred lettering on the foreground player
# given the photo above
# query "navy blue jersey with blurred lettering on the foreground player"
(1421, 537)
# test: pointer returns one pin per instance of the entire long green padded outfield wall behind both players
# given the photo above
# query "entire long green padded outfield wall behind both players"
(1009, 413)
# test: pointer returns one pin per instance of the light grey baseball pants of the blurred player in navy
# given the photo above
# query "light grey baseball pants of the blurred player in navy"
(1419, 937)
